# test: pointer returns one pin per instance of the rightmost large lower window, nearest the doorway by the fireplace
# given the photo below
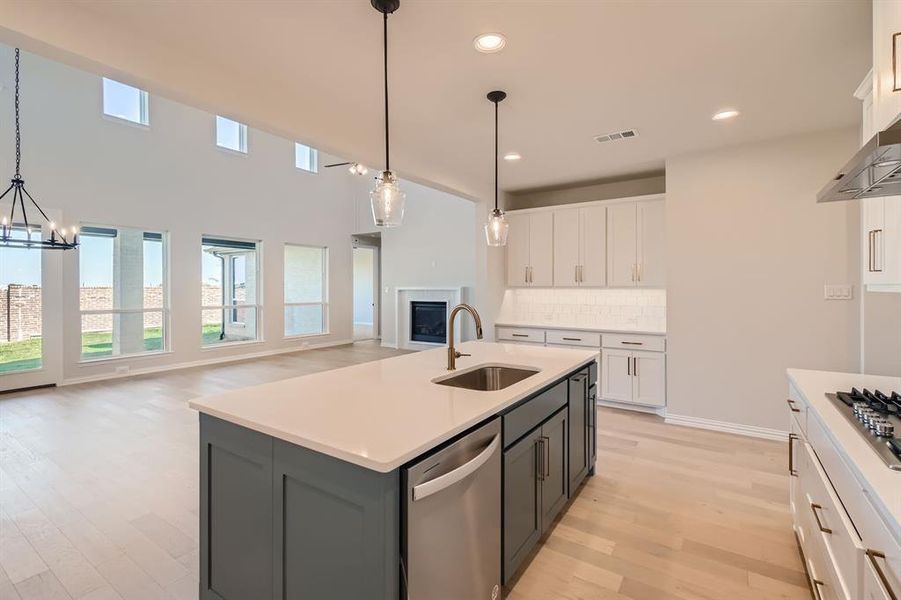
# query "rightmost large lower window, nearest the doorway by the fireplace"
(306, 290)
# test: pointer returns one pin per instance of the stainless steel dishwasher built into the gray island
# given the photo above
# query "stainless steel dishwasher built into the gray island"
(451, 539)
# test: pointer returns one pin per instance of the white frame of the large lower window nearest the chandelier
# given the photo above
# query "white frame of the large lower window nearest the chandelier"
(165, 310)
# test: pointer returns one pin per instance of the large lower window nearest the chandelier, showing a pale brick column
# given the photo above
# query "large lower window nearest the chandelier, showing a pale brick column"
(123, 291)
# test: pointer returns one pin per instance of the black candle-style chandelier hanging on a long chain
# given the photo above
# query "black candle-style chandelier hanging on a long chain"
(18, 220)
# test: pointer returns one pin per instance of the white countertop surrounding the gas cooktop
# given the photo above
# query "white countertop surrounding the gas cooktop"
(884, 483)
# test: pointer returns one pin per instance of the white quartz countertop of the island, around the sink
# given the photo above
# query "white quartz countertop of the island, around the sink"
(382, 414)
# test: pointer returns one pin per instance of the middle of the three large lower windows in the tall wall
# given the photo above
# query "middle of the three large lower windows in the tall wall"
(230, 291)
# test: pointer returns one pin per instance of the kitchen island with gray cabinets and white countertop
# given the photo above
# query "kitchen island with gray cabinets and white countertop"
(302, 480)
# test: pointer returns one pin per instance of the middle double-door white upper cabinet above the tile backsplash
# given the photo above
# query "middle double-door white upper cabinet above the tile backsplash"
(580, 249)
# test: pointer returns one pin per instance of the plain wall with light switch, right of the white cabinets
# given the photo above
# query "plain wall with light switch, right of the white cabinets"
(748, 252)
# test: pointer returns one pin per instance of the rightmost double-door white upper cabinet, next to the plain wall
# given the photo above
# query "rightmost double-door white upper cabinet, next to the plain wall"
(636, 244)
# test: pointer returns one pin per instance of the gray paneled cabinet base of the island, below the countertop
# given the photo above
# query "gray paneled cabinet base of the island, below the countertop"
(283, 521)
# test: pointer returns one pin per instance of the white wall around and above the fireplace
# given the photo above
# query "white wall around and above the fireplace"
(436, 246)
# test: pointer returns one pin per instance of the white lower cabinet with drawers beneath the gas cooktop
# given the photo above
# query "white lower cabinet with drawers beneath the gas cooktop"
(849, 552)
